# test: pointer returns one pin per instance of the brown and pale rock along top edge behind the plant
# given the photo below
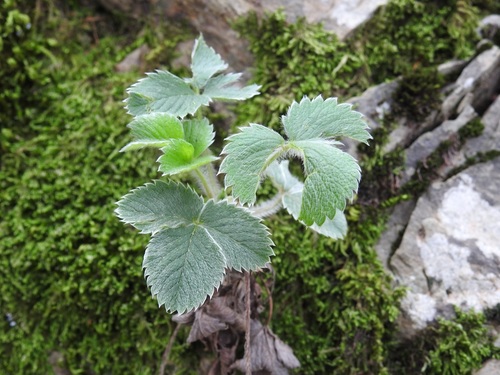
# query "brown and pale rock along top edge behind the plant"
(213, 17)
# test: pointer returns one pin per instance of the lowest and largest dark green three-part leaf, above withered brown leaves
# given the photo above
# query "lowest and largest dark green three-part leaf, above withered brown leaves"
(193, 242)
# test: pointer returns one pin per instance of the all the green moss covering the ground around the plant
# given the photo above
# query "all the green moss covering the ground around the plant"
(71, 273)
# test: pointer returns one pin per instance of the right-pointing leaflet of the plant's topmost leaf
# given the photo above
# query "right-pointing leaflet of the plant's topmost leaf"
(224, 87)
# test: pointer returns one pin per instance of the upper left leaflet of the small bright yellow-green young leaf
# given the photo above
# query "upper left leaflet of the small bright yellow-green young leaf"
(153, 130)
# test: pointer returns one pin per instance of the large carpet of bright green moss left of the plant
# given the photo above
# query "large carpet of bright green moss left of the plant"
(71, 274)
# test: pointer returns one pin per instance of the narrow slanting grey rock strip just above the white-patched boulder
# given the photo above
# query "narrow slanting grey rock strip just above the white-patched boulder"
(427, 143)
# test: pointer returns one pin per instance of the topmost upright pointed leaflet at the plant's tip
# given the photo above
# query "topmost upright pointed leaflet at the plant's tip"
(205, 62)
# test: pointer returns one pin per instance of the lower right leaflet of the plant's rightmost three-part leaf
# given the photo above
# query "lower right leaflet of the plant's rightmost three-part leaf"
(332, 176)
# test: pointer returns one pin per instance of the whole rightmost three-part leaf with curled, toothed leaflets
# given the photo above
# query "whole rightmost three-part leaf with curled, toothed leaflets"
(332, 176)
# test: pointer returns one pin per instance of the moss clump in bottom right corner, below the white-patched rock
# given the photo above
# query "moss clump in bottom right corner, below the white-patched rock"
(453, 347)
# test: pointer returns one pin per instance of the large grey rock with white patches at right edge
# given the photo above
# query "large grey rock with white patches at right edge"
(449, 253)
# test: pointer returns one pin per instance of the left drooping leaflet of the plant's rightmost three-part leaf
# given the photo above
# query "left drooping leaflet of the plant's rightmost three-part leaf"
(248, 154)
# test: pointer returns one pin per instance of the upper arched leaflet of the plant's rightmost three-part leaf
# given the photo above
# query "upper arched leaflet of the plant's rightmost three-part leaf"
(320, 118)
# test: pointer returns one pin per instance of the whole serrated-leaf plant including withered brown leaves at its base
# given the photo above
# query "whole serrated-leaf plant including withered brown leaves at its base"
(195, 241)
